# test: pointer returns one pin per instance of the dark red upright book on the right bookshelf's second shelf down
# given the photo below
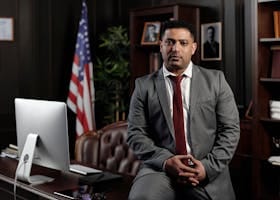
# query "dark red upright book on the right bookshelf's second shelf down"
(275, 63)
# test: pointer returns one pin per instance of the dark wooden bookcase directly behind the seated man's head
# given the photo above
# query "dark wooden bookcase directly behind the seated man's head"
(140, 54)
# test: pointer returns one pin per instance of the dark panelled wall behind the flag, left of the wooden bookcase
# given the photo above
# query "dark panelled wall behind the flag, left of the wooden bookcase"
(38, 63)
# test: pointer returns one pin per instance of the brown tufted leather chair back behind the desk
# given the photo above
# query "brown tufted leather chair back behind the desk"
(107, 149)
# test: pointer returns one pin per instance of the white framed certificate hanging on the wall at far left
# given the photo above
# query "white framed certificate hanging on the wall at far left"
(6, 29)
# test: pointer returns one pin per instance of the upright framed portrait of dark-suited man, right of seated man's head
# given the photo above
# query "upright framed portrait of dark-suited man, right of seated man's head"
(211, 41)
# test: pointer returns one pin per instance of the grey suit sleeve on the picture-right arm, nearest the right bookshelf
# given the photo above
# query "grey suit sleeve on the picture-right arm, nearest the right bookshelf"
(227, 132)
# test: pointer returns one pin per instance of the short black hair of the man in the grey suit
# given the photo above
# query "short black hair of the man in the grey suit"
(176, 24)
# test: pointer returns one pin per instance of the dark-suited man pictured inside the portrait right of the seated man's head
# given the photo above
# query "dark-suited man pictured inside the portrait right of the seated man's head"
(211, 47)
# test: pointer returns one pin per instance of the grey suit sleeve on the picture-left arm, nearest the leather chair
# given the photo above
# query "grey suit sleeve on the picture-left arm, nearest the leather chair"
(140, 134)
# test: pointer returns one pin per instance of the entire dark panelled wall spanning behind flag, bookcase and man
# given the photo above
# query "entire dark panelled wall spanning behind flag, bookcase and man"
(37, 64)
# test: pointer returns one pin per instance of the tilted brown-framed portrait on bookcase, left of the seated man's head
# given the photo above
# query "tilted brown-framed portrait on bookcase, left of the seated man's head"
(150, 35)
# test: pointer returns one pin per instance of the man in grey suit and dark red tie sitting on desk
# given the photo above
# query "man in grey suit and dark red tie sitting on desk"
(210, 124)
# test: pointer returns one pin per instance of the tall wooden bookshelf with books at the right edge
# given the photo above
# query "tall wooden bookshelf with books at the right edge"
(265, 176)
